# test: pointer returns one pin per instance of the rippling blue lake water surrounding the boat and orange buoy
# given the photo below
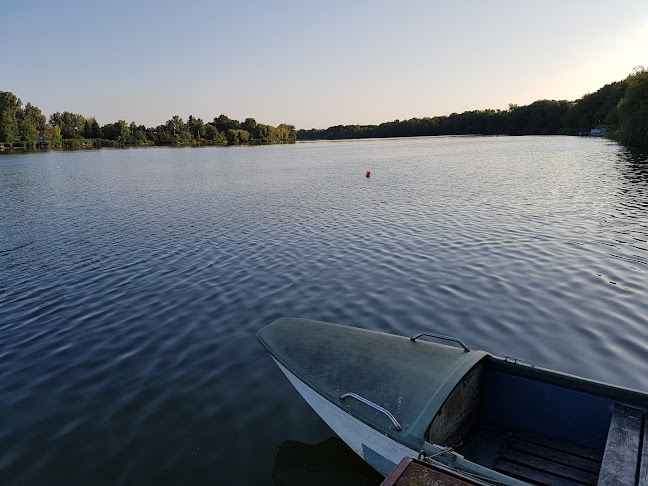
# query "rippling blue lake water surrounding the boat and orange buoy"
(133, 282)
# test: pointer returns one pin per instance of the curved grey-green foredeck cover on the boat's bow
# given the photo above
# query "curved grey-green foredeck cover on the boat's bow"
(409, 380)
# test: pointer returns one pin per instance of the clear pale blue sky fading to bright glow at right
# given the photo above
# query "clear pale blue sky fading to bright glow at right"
(312, 64)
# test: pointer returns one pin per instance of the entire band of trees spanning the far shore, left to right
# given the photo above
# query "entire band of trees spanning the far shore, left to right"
(621, 108)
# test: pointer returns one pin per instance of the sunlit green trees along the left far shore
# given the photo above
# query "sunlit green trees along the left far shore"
(27, 127)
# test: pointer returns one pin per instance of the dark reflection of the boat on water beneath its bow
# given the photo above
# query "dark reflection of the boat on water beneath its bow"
(326, 463)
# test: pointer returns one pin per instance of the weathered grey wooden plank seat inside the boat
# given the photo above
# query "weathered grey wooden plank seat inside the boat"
(625, 460)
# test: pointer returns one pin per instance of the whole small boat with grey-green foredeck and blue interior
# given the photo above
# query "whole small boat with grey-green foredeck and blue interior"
(503, 421)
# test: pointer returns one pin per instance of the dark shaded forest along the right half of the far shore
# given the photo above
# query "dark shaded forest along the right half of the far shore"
(620, 107)
